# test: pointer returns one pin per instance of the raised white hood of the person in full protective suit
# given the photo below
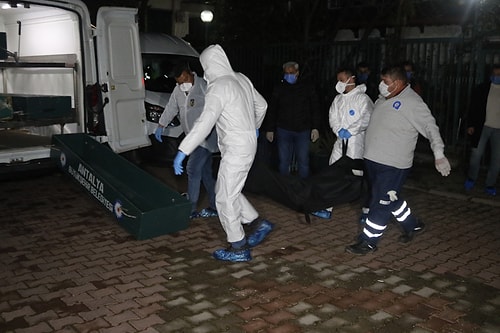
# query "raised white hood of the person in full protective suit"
(215, 63)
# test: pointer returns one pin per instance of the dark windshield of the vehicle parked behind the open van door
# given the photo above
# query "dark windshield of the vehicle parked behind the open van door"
(158, 70)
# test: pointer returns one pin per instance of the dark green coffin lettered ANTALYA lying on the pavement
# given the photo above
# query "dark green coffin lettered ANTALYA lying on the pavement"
(141, 204)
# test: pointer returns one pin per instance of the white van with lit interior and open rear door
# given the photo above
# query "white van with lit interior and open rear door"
(60, 74)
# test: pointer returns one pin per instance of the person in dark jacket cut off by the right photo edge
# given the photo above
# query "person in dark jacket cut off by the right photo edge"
(483, 126)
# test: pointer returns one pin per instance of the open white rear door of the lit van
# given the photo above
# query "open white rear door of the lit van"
(121, 78)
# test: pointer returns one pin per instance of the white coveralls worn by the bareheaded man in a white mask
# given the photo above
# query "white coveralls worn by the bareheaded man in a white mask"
(351, 111)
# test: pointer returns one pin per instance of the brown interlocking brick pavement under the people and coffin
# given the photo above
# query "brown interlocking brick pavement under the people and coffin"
(68, 267)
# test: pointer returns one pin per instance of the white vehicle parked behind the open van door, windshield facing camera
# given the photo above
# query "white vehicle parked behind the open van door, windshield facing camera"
(160, 54)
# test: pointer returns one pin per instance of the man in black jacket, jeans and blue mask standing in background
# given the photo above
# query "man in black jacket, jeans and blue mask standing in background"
(293, 119)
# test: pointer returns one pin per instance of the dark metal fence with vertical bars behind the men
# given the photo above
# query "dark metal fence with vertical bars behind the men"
(448, 67)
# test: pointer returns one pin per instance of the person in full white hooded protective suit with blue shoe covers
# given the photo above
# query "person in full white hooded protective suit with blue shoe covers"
(237, 110)
